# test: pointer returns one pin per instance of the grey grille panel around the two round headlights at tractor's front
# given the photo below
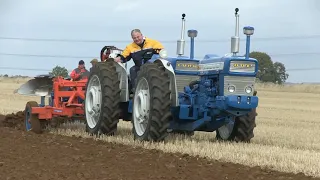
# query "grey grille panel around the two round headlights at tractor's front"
(240, 83)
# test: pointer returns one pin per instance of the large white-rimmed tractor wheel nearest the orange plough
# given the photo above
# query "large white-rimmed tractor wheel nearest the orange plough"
(102, 99)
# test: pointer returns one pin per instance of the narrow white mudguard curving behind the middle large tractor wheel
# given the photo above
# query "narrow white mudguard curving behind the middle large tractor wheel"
(173, 84)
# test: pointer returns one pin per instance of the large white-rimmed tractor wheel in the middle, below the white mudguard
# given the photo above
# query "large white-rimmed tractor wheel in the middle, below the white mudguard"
(151, 104)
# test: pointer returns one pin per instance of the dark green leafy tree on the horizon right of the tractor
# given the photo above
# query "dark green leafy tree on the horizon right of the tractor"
(269, 71)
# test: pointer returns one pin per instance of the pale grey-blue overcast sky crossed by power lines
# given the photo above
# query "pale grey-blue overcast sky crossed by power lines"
(284, 24)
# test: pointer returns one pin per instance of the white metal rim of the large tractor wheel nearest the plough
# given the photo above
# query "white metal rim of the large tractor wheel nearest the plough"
(93, 101)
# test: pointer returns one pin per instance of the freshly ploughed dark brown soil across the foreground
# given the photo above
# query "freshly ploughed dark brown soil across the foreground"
(25, 155)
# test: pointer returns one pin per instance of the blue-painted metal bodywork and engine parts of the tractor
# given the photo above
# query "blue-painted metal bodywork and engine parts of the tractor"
(204, 107)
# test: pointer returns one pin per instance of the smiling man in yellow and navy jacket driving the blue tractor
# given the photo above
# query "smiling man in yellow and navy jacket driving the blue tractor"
(135, 51)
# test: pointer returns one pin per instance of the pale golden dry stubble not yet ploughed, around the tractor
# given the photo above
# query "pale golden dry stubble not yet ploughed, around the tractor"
(286, 137)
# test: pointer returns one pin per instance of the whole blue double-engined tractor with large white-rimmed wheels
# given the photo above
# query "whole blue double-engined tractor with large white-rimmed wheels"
(177, 94)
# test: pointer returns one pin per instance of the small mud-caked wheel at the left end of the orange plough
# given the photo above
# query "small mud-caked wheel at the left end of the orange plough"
(32, 122)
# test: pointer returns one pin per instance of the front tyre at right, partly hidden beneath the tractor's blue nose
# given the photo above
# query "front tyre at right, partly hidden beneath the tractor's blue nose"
(241, 130)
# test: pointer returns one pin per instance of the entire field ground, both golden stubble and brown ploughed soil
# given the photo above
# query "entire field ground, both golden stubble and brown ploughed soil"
(286, 145)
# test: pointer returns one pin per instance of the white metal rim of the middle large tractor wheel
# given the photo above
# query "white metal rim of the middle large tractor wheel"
(141, 107)
